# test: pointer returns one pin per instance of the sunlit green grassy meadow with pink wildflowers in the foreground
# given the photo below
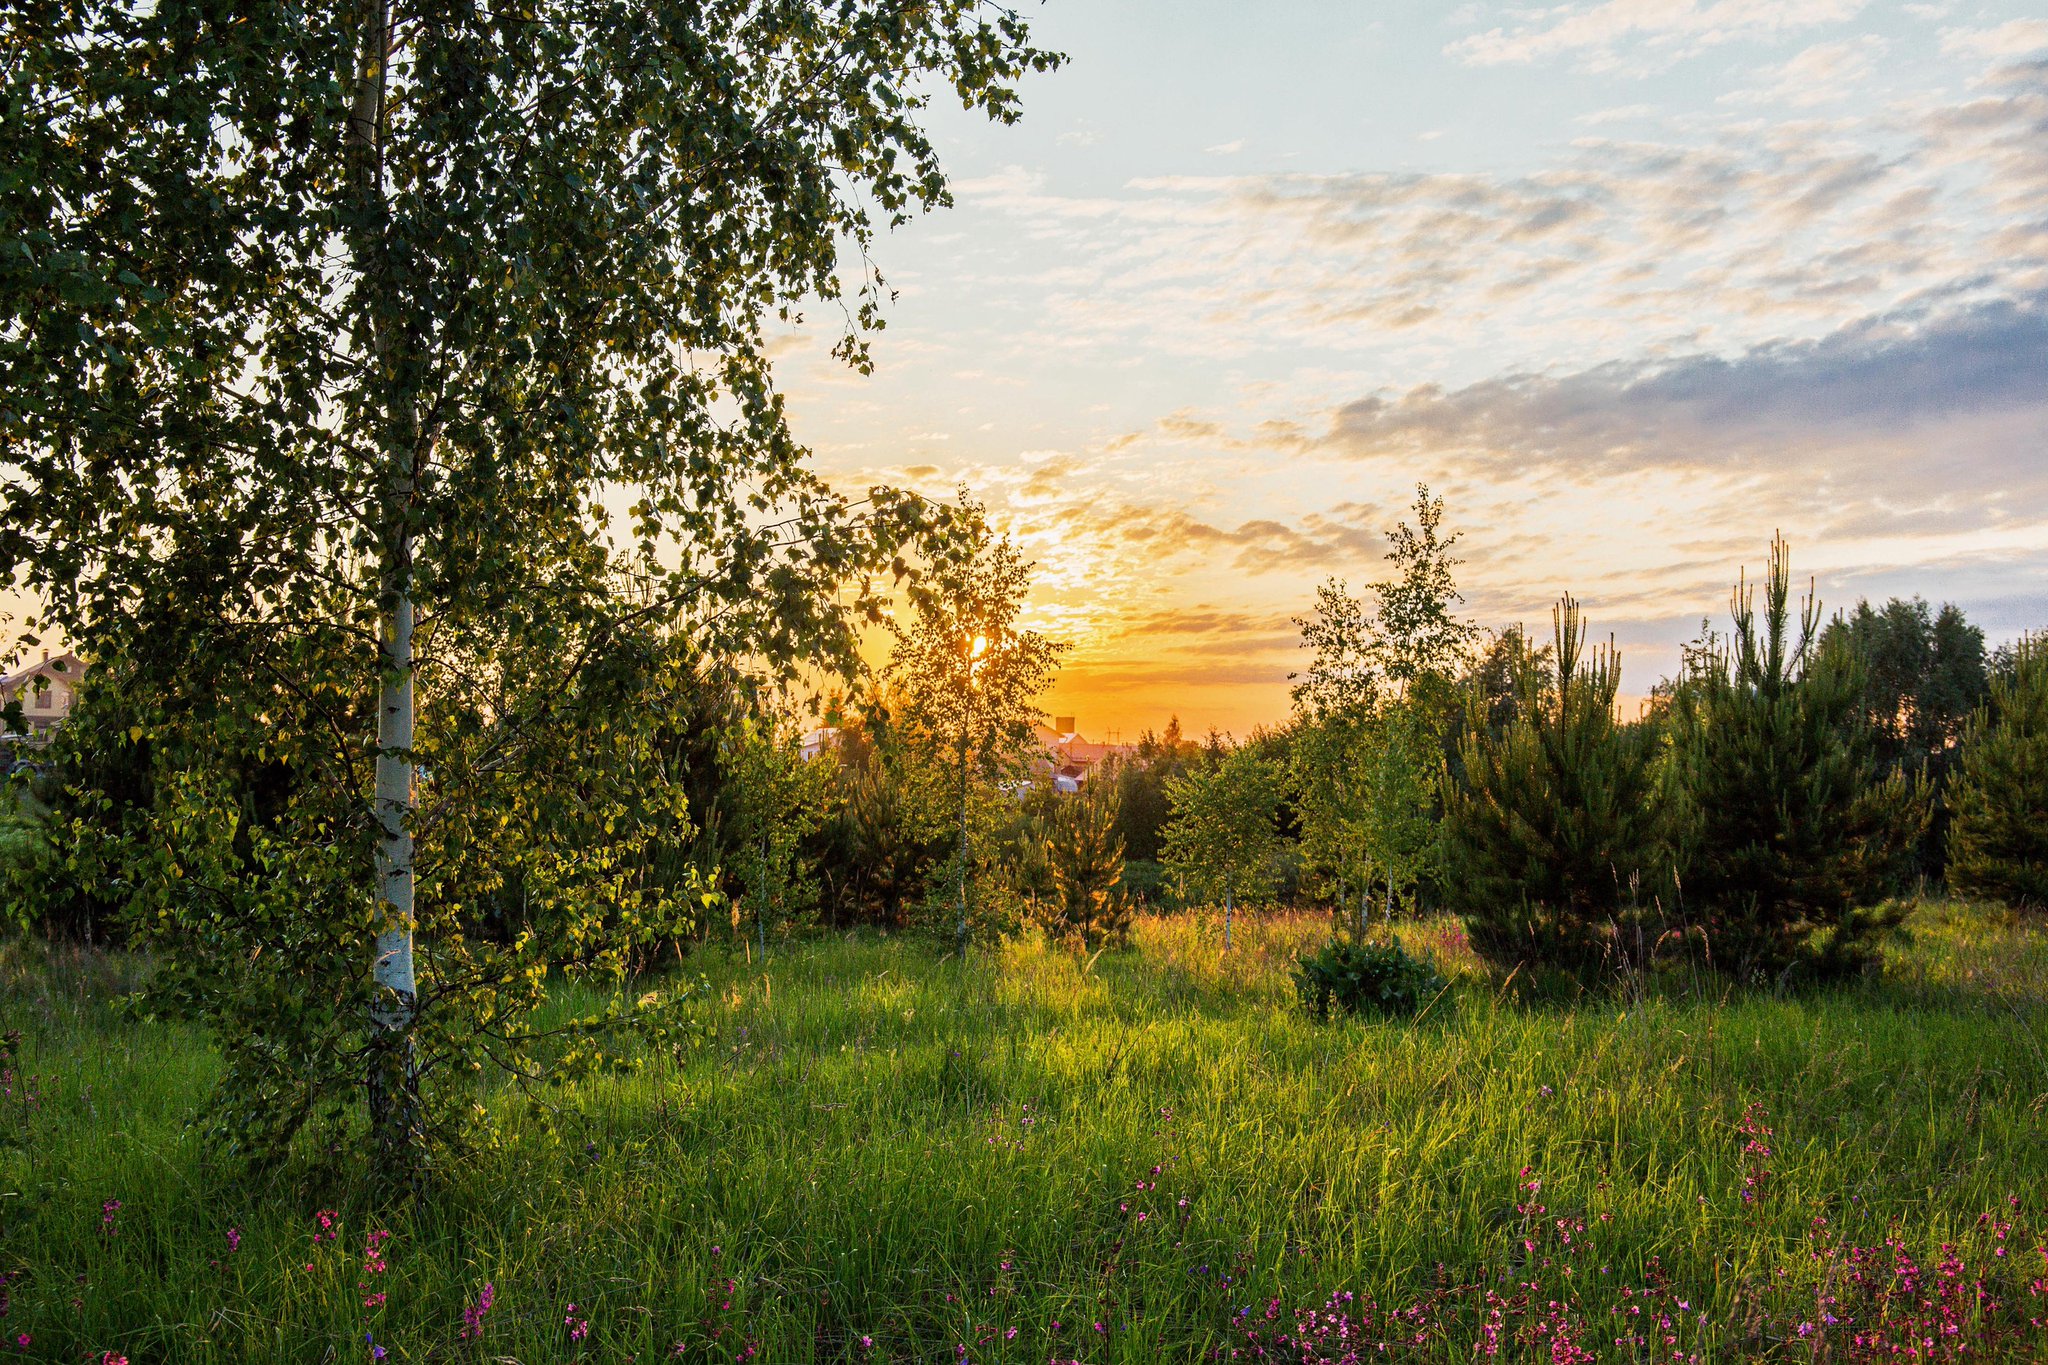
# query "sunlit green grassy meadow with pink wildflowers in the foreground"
(878, 1155)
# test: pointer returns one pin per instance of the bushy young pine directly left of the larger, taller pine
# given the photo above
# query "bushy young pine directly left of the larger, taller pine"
(1558, 820)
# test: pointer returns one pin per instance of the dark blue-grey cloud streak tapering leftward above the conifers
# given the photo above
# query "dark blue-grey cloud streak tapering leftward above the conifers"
(1891, 408)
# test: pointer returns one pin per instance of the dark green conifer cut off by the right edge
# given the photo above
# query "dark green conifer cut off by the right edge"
(1998, 842)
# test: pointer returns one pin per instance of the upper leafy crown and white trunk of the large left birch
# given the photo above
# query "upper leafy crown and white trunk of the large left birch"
(339, 339)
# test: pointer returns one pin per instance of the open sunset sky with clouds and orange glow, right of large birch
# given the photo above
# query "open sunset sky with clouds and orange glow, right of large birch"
(1629, 283)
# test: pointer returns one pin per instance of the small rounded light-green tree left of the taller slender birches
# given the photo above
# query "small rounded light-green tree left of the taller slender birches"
(1224, 836)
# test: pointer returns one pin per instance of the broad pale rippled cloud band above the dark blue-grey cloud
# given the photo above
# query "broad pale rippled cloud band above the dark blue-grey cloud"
(1727, 238)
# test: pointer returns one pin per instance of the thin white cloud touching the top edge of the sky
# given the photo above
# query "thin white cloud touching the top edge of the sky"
(1646, 36)
